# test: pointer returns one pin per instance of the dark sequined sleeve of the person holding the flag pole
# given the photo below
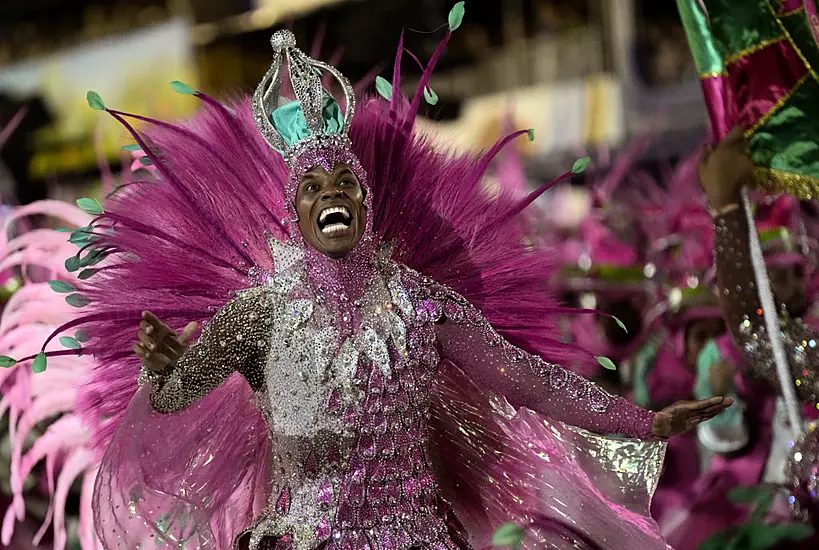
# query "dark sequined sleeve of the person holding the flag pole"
(743, 312)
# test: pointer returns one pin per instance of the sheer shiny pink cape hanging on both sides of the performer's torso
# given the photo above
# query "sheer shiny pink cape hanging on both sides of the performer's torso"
(198, 478)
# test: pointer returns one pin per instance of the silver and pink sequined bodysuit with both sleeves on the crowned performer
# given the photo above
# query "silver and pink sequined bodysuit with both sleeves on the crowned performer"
(346, 399)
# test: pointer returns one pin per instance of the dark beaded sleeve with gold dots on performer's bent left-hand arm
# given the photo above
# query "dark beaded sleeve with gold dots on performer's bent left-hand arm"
(235, 340)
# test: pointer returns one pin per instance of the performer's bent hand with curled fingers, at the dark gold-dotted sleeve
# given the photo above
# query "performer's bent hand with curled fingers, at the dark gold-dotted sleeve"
(159, 346)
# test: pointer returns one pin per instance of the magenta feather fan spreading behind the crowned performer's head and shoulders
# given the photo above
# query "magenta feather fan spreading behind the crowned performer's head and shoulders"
(185, 240)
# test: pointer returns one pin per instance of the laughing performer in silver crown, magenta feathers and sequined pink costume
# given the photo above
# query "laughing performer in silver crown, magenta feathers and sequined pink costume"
(352, 396)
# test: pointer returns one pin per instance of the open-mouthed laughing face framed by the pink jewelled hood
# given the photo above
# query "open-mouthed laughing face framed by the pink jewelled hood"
(330, 206)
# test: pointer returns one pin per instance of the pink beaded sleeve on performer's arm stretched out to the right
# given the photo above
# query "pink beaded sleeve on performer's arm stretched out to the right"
(467, 339)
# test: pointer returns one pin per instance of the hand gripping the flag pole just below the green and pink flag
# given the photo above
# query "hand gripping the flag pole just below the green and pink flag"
(725, 169)
